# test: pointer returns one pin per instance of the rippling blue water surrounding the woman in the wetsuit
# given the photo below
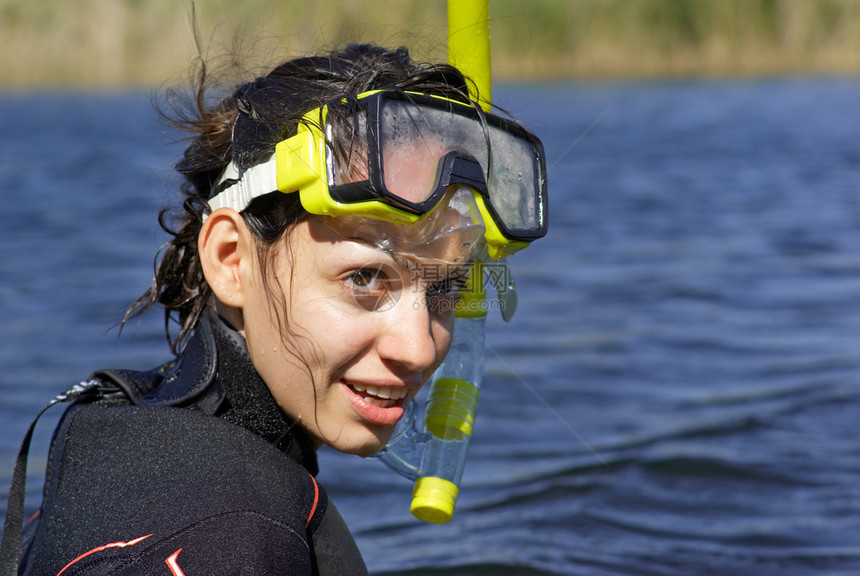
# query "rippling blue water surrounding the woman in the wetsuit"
(678, 393)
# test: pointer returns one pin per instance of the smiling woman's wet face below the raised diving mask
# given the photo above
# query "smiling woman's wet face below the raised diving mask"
(349, 333)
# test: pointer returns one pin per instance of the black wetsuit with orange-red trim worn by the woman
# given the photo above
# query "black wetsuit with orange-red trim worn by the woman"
(188, 469)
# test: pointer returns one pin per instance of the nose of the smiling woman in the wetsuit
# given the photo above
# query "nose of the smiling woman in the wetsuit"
(408, 338)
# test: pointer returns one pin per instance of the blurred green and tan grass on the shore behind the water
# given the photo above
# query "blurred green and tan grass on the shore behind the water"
(114, 43)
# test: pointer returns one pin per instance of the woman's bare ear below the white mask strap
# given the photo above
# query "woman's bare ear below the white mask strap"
(227, 255)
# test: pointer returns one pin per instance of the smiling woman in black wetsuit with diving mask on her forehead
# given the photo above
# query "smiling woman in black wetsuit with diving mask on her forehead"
(331, 210)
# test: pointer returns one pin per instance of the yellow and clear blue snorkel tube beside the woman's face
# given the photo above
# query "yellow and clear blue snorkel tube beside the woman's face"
(434, 453)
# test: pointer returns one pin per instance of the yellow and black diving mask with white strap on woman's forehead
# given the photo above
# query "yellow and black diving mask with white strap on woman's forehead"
(393, 141)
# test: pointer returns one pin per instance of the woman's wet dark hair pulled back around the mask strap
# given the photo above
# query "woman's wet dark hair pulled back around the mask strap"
(245, 127)
